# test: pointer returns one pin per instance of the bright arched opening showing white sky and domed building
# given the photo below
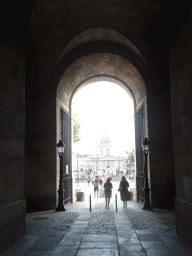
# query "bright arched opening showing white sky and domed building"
(106, 114)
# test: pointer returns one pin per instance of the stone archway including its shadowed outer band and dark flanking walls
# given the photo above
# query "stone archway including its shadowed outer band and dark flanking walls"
(104, 59)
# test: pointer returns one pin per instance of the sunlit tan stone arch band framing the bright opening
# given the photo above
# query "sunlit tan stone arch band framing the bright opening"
(104, 67)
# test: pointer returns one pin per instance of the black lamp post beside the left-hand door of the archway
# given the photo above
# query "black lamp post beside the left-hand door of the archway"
(61, 148)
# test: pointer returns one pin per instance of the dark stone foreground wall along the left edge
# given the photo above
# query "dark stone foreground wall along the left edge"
(12, 113)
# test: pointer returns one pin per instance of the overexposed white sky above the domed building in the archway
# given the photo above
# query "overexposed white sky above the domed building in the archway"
(104, 107)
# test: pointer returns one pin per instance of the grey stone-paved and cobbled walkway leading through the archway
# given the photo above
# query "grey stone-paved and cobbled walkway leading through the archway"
(81, 232)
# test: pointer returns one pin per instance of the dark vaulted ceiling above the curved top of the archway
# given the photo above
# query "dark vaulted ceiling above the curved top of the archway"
(58, 21)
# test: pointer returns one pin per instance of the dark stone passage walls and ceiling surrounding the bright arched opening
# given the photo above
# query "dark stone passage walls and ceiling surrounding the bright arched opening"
(48, 51)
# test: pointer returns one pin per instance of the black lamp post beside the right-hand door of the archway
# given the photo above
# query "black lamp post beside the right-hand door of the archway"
(147, 205)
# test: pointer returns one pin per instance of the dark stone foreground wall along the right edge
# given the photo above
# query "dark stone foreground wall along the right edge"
(181, 86)
